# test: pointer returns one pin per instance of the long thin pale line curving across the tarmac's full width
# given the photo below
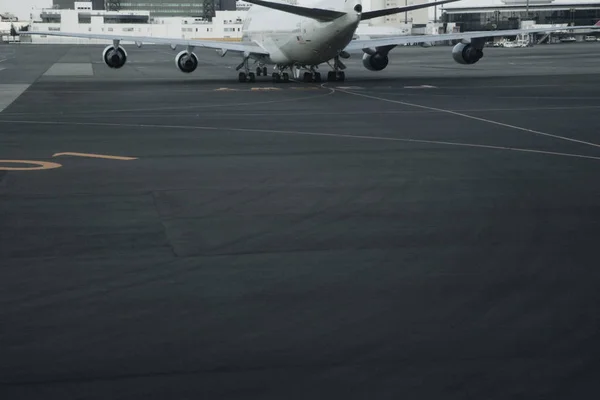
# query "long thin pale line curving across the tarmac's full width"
(322, 134)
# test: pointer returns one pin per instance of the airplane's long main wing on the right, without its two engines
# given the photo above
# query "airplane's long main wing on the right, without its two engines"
(400, 40)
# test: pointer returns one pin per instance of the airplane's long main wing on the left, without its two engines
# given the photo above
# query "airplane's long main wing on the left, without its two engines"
(249, 47)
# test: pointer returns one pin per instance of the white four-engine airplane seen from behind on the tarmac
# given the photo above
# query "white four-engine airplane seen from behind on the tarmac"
(295, 38)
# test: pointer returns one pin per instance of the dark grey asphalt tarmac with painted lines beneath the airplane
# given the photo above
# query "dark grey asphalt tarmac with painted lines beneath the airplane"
(426, 232)
